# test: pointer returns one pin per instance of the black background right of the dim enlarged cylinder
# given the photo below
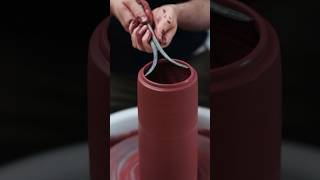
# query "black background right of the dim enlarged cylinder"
(298, 28)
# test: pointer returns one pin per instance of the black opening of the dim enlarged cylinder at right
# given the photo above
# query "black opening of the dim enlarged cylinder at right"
(233, 40)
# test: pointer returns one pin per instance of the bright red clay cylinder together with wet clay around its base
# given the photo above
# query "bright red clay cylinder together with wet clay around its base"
(168, 145)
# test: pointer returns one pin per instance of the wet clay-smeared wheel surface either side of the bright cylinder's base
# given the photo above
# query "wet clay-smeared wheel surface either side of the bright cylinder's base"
(124, 159)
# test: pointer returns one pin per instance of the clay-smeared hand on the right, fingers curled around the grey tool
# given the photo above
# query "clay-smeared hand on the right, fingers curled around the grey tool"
(165, 22)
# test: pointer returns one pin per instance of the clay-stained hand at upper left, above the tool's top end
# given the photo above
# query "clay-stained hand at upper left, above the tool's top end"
(128, 11)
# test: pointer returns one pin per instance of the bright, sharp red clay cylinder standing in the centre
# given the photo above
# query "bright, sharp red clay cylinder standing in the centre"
(167, 109)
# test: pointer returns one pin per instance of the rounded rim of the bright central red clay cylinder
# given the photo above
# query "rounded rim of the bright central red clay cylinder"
(167, 87)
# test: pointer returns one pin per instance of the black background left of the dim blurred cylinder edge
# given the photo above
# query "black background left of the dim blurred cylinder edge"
(43, 56)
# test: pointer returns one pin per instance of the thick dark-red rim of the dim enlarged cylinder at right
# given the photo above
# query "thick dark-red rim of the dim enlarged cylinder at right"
(251, 66)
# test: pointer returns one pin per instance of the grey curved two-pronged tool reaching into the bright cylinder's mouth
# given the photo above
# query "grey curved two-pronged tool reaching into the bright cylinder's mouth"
(157, 47)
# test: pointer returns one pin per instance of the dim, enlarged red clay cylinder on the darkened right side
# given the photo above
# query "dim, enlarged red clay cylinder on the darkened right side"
(246, 98)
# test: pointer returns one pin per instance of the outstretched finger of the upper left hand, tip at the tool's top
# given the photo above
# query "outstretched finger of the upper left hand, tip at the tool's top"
(136, 10)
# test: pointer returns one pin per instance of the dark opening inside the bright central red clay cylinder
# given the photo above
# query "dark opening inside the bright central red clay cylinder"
(168, 73)
